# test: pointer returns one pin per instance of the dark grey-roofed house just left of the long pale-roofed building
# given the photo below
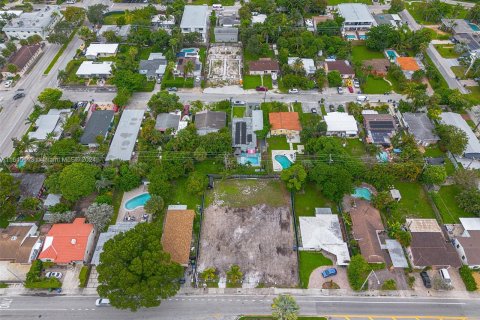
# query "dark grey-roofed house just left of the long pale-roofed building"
(97, 126)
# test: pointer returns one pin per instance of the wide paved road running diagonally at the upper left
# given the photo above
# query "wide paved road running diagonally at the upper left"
(14, 113)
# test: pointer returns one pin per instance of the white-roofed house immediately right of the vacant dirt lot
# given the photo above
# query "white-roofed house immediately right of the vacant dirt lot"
(323, 232)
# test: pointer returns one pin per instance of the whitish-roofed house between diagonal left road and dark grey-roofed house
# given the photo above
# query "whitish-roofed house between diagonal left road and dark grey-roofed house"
(50, 123)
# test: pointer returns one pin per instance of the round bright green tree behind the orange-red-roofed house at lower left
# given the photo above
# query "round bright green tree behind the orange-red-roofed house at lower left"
(77, 180)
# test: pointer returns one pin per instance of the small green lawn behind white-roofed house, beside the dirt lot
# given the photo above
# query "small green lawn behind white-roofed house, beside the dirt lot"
(310, 198)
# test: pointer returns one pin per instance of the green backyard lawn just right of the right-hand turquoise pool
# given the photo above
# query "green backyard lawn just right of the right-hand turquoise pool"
(414, 203)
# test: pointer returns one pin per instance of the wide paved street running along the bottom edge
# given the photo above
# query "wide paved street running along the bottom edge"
(228, 306)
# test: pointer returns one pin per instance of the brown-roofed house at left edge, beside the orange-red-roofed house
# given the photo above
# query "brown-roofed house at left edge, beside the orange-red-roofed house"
(19, 243)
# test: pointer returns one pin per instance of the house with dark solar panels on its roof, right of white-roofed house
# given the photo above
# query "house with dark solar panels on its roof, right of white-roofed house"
(380, 128)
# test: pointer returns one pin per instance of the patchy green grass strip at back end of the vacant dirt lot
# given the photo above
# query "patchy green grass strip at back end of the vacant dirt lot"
(247, 193)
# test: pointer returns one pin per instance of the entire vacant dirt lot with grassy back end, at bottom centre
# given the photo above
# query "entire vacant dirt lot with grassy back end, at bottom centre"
(249, 223)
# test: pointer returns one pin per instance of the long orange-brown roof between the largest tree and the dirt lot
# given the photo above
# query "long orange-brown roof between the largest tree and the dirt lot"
(177, 234)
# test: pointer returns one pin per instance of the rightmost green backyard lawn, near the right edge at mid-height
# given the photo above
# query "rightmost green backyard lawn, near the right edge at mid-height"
(447, 204)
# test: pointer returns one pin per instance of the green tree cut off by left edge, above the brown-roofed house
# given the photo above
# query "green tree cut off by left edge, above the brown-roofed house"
(9, 193)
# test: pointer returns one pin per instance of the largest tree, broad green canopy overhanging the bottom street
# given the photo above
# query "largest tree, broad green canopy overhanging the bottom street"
(135, 272)
